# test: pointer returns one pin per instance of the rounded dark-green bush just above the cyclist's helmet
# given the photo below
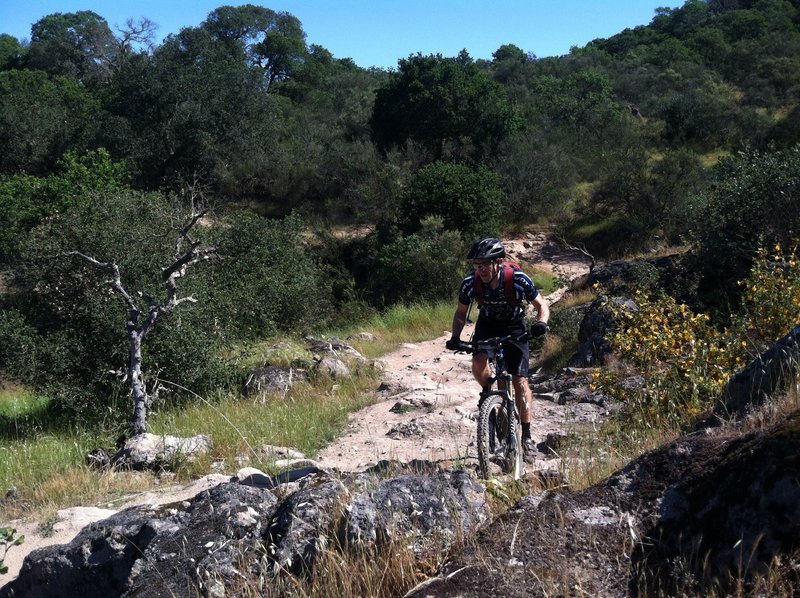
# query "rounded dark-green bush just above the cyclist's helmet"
(468, 200)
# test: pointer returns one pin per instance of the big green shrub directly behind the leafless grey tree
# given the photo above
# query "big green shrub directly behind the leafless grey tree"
(80, 322)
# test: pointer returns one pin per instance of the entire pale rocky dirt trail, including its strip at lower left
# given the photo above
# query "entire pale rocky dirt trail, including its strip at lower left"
(426, 411)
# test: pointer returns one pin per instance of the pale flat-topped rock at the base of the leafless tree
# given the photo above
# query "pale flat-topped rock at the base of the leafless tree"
(153, 451)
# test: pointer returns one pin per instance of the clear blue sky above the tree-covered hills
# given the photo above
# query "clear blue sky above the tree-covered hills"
(379, 32)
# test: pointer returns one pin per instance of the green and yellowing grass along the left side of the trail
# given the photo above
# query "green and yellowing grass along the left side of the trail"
(45, 459)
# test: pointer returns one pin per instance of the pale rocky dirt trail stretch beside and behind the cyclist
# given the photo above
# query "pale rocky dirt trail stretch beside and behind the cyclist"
(431, 399)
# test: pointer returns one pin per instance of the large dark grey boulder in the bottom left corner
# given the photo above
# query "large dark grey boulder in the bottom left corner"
(152, 552)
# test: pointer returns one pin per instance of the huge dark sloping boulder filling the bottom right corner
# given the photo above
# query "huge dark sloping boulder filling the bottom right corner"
(700, 513)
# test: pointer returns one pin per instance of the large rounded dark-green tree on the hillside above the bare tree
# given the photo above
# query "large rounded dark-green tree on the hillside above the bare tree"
(192, 109)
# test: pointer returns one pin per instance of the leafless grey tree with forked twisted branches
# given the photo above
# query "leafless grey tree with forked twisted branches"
(144, 311)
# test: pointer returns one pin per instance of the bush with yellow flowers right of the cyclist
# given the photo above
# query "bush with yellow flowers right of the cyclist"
(682, 360)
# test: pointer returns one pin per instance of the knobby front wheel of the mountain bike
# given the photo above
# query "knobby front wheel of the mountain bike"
(499, 436)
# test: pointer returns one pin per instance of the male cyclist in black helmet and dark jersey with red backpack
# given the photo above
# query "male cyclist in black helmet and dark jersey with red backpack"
(501, 315)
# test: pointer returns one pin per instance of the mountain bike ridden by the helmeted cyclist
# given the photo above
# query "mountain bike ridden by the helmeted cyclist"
(499, 425)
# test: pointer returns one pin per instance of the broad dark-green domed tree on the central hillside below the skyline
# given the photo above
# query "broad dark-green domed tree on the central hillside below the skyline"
(450, 106)
